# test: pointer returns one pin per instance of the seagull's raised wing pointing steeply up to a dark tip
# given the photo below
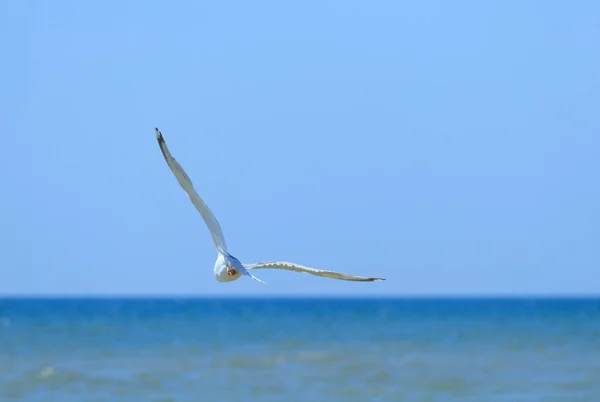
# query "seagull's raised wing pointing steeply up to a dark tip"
(186, 184)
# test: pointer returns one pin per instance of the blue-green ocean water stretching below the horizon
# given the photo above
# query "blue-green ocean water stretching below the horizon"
(299, 350)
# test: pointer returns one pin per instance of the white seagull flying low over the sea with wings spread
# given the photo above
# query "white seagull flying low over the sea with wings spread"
(228, 268)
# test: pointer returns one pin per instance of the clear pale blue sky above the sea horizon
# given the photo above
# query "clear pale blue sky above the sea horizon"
(450, 147)
